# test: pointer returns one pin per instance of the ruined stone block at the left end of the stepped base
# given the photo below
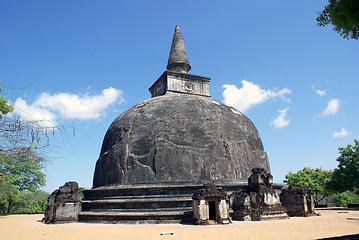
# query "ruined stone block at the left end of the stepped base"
(63, 204)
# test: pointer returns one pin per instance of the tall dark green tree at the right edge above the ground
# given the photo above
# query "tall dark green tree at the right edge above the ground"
(346, 175)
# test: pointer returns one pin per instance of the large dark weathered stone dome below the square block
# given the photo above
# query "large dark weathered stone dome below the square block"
(178, 139)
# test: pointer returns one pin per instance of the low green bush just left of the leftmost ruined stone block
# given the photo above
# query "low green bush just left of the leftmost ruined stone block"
(31, 202)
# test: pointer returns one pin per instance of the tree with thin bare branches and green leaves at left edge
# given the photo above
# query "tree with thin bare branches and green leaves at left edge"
(22, 156)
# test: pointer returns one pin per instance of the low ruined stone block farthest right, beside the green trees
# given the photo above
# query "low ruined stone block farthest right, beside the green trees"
(298, 201)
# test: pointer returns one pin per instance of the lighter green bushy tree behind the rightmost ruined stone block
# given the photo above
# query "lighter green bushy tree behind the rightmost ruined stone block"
(315, 179)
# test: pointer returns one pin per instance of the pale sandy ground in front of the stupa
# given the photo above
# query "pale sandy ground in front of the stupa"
(333, 222)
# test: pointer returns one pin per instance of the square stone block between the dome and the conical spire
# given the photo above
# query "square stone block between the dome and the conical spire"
(175, 82)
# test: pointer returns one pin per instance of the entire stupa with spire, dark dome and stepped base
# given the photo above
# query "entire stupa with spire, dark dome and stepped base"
(158, 153)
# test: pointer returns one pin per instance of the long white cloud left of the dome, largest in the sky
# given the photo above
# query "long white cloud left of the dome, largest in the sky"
(49, 107)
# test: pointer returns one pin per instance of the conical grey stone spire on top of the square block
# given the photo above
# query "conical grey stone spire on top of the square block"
(178, 59)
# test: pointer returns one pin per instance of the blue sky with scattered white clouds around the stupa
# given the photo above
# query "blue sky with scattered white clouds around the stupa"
(82, 63)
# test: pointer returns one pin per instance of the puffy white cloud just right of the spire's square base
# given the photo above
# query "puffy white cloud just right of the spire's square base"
(250, 95)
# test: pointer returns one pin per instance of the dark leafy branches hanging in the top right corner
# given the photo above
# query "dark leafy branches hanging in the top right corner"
(344, 15)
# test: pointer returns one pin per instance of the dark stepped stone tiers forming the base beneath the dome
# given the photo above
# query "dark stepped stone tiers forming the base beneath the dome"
(144, 203)
